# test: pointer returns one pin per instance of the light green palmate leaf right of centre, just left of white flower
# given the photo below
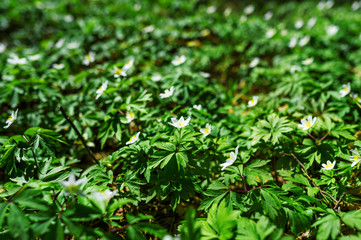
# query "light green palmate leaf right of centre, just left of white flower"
(272, 129)
